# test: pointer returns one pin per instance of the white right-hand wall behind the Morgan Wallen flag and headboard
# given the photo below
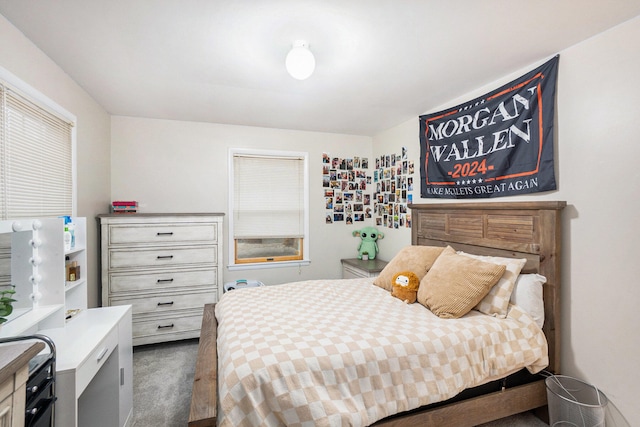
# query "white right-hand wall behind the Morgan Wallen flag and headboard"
(597, 151)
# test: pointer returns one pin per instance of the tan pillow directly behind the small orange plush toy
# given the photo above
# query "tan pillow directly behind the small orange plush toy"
(417, 259)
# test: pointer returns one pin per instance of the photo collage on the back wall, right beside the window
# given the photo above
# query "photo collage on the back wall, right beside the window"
(347, 194)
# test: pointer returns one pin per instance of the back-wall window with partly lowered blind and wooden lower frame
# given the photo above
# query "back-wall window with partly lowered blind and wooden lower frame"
(268, 202)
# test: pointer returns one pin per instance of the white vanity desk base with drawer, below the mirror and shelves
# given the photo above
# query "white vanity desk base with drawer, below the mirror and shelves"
(94, 354)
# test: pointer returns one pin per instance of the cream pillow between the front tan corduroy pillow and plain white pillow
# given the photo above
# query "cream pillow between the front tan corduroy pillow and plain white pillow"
(496, 302)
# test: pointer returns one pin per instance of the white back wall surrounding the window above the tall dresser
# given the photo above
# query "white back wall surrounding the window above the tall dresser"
(174, 166)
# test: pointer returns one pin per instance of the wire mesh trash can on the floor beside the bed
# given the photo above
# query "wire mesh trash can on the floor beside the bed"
(574, 403)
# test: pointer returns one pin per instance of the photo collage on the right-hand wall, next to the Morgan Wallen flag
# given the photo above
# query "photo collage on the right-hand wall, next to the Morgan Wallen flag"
(393, 180)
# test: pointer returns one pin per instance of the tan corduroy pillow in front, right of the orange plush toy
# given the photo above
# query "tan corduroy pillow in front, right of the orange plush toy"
(456, 283)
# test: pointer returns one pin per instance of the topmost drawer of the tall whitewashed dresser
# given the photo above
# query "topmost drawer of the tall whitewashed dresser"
(153, 234)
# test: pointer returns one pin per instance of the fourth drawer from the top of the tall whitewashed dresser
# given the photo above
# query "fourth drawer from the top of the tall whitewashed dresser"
(159, 303)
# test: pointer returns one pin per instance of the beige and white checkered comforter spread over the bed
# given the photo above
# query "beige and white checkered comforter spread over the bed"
(344, 352)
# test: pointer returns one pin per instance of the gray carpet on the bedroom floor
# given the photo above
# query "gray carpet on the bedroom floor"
(162, 378)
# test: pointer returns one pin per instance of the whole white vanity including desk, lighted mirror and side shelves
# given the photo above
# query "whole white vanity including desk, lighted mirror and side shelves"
(94, 352)
